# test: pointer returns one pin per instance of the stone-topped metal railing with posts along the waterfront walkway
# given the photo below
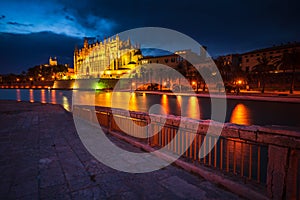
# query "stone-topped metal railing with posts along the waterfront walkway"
(267, 157)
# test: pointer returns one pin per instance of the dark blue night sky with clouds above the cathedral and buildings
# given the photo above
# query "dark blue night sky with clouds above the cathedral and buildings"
(31, 31)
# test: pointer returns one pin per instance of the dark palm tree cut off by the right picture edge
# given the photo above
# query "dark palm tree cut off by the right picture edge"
(290, 61)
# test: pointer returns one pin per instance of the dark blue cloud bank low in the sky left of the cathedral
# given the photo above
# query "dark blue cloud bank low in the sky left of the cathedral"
(21, 51)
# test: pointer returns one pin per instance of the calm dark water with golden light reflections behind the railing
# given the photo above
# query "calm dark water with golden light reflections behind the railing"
(238, 111)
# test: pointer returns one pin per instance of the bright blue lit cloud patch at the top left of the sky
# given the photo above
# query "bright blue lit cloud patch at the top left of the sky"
(31, 17)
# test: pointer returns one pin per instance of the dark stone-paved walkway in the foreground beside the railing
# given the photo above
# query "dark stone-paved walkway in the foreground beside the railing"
(41, 157)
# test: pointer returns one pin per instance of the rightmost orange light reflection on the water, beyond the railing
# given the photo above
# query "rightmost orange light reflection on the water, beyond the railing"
(240, 115)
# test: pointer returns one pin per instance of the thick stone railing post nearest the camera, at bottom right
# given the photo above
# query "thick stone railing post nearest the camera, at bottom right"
(277, 172)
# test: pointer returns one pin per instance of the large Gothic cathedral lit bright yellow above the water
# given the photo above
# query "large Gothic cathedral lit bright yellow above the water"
(110, 58)
